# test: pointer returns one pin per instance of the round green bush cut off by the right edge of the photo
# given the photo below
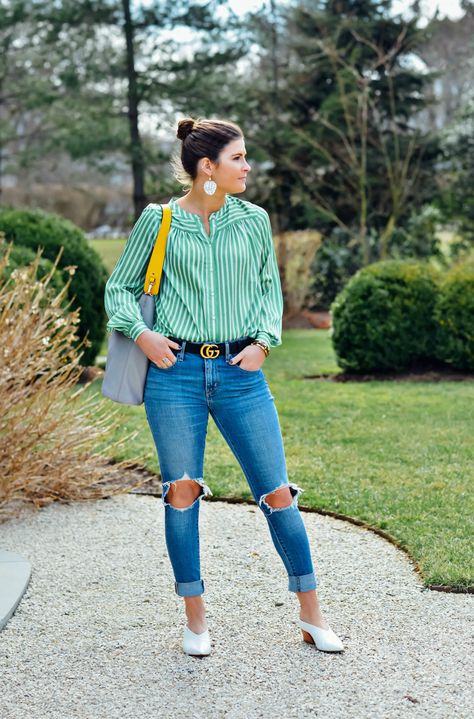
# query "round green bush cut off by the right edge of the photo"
(454, 314)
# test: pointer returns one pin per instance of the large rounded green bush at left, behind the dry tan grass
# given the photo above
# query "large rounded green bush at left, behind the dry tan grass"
(35, 227)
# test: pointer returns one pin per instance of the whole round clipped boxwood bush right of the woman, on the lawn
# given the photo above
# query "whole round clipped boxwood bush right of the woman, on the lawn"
(383, 318)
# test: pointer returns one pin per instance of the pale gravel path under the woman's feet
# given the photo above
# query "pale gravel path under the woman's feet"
(98, 632)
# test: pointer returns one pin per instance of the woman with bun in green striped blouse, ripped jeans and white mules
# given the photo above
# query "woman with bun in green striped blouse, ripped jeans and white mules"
(218, 312)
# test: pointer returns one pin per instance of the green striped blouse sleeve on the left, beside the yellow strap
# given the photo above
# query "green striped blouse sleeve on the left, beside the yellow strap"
(125, 285)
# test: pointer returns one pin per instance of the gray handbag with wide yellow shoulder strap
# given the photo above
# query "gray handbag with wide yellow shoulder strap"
(126, 365)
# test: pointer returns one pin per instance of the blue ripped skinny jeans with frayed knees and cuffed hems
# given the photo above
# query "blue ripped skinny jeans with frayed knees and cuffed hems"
(178, 400)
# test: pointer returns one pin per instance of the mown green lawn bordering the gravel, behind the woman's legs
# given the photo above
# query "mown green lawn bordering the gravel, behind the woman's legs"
(397, 455)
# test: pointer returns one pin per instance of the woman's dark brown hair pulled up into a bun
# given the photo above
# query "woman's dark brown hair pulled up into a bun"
(201, 138)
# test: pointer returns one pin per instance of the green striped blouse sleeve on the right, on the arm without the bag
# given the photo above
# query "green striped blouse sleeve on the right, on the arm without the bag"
(270, 325)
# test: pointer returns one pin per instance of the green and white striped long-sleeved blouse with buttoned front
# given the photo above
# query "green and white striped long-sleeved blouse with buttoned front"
(213, 287)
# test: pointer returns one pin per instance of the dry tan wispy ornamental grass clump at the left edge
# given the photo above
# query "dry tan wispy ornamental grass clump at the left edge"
(47, 430)
